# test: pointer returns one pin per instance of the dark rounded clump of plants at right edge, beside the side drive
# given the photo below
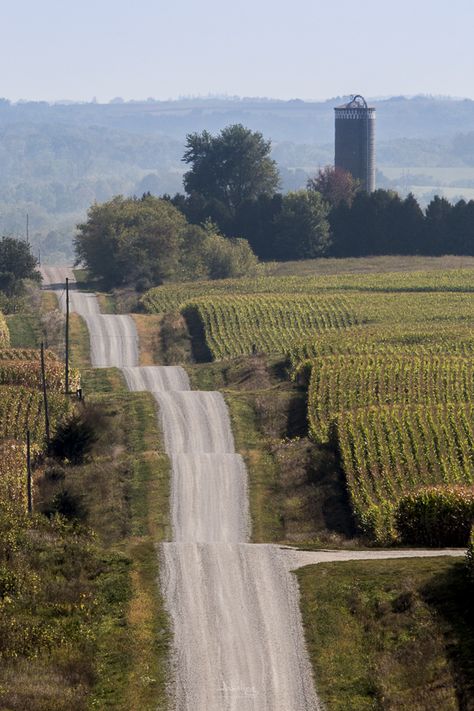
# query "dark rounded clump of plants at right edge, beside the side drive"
(436, 516)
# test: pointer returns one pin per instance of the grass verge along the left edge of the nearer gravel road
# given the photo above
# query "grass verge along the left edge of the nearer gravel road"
(133, 656)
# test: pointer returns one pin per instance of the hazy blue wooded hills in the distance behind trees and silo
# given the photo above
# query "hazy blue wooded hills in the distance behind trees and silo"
(56, 159)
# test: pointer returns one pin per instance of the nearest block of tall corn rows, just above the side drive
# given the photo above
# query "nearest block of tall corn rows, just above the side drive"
(387, 452)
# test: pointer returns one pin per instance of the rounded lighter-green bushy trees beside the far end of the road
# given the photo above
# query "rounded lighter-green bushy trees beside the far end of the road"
(147, 241)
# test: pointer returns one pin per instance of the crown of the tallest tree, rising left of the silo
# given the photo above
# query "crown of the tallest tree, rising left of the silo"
(230, 168)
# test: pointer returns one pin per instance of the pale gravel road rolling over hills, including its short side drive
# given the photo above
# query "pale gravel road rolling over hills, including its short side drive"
(238, 637)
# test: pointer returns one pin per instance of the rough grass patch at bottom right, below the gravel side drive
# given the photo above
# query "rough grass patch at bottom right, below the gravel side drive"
(390, 634)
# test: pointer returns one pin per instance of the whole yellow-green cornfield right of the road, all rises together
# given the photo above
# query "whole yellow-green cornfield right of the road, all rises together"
(388, 358)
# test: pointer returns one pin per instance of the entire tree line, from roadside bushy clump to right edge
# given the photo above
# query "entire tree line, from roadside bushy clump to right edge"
(232, 213)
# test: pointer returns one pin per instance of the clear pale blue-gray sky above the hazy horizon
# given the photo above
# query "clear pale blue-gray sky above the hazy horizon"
(308, 49)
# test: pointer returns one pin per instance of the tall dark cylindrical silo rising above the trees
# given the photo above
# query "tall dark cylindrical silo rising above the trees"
(355, 141)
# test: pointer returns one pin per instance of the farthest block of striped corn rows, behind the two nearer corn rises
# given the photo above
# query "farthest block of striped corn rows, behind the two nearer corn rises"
(238, 325)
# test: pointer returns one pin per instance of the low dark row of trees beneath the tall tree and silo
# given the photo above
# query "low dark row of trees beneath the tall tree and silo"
(303, 224)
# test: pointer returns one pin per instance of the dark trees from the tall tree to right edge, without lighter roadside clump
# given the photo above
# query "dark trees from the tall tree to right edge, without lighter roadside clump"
(331, 217)
